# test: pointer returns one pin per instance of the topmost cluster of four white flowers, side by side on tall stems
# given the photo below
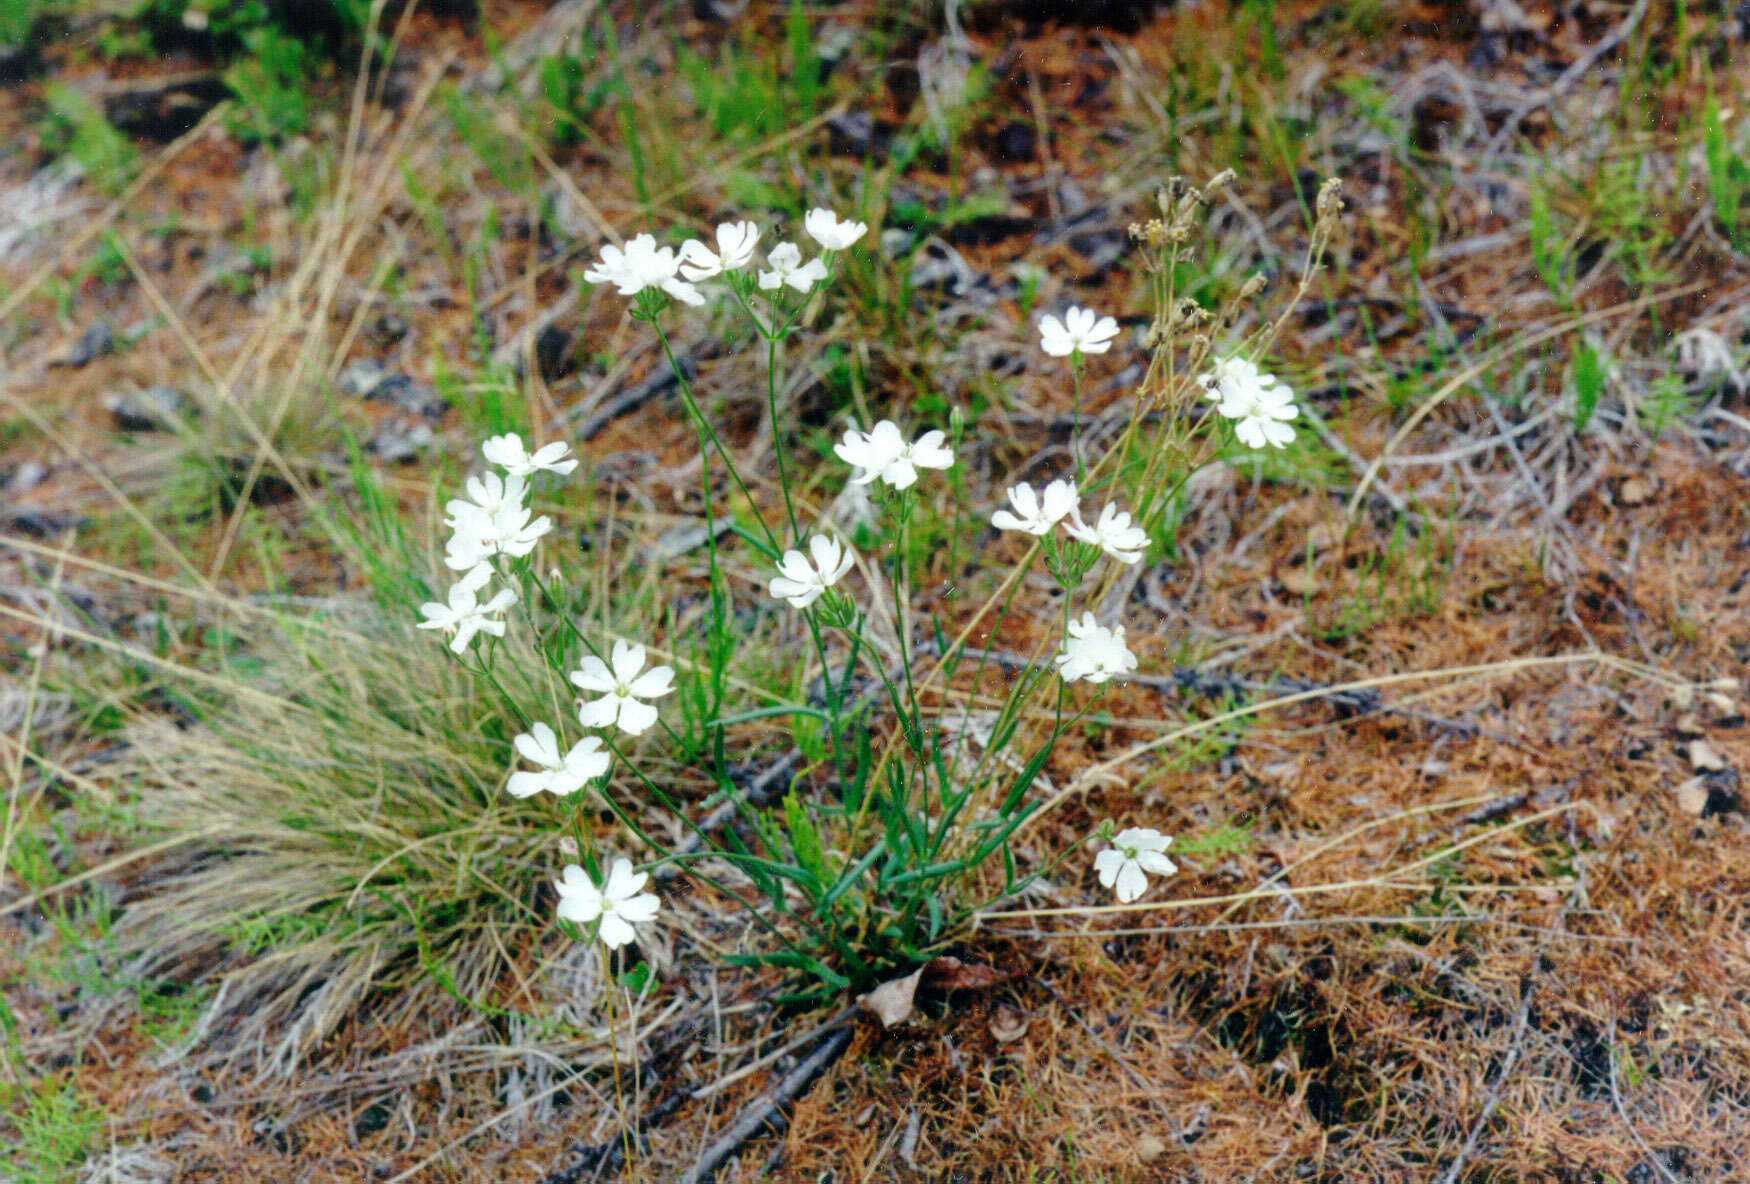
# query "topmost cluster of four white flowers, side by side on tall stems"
(643, 267)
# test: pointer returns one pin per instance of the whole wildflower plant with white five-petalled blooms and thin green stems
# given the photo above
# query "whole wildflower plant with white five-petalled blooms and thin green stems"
(902, 816)
